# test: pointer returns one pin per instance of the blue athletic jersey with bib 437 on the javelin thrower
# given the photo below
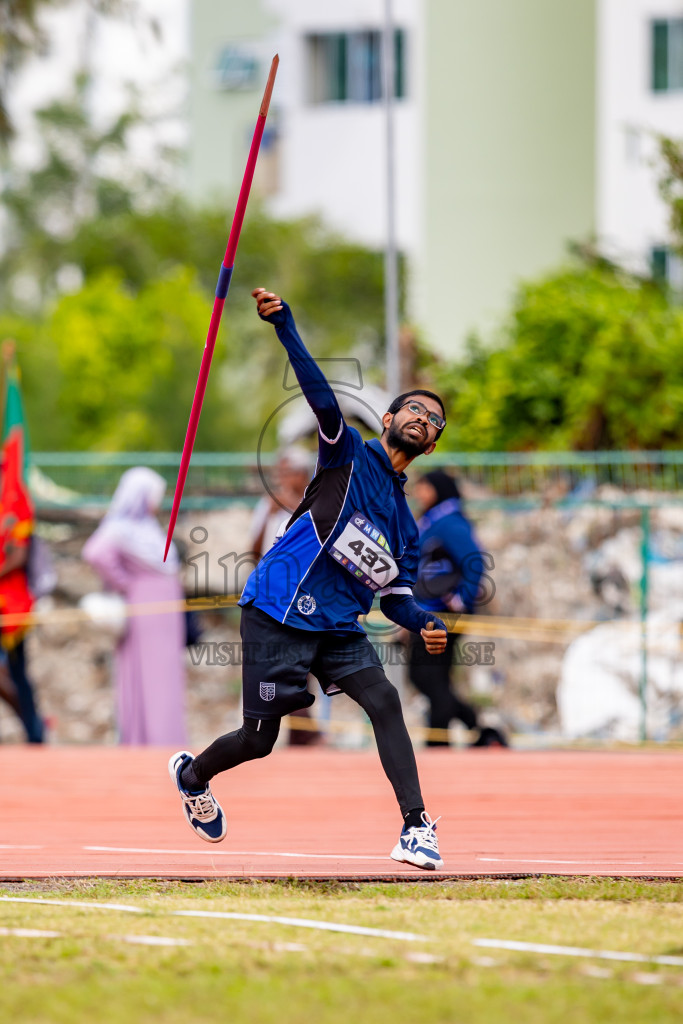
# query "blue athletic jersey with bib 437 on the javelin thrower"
(353, 522)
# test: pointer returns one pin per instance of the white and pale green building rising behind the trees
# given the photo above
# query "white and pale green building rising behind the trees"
(523, 125)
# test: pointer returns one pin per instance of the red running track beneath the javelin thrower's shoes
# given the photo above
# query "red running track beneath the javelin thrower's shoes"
(329, 815)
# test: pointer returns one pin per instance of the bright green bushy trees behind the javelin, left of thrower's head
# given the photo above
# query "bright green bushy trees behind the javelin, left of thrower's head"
(114, 365)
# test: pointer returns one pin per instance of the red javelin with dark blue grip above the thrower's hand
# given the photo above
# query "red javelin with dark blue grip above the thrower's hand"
(222, 293)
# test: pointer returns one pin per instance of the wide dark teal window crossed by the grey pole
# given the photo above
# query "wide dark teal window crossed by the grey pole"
(347, 67)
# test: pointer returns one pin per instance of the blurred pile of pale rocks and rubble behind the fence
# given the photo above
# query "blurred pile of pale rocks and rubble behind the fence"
(548, 564)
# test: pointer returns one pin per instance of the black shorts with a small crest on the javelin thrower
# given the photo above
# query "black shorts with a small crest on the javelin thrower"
(277, 660)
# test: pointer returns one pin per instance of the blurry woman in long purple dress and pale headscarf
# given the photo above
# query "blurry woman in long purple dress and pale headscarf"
(127, 551)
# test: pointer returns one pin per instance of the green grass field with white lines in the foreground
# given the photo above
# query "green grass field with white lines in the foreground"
(267, 973)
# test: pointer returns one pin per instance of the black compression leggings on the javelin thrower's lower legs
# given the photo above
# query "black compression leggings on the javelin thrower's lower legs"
(380, 701)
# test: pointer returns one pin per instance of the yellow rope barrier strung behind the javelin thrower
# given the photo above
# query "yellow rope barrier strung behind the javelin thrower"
(561, 631)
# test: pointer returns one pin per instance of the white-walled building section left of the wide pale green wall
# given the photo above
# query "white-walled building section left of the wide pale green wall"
(329, 155)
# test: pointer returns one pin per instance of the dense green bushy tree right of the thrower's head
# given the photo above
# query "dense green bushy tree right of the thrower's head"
(589, 359)
